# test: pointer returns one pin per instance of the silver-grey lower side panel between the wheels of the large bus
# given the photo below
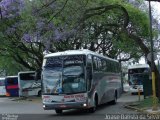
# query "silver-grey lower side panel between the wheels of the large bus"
(105, 84)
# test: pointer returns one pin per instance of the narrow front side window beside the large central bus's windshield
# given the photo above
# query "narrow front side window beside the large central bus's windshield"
(89, 71)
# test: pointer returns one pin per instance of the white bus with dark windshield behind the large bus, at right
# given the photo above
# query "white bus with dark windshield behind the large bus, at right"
(136, 75)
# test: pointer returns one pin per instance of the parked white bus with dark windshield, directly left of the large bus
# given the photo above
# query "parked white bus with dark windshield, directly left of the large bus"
(28, 86)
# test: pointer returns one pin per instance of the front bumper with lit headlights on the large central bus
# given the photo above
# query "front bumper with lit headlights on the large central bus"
(64, 106)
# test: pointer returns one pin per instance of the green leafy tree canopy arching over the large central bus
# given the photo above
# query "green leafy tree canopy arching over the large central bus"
(102, 30)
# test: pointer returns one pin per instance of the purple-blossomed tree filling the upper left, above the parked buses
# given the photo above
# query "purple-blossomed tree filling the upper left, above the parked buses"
(28, 29)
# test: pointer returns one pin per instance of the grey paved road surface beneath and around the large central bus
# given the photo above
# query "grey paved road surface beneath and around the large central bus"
(31, 109)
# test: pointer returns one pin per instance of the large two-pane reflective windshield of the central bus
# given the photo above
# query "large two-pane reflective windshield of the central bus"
(64, 75)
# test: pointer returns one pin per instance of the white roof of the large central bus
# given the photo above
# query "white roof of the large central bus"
(77, 52)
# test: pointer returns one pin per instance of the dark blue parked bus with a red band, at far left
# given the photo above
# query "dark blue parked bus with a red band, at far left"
(11, 85)
